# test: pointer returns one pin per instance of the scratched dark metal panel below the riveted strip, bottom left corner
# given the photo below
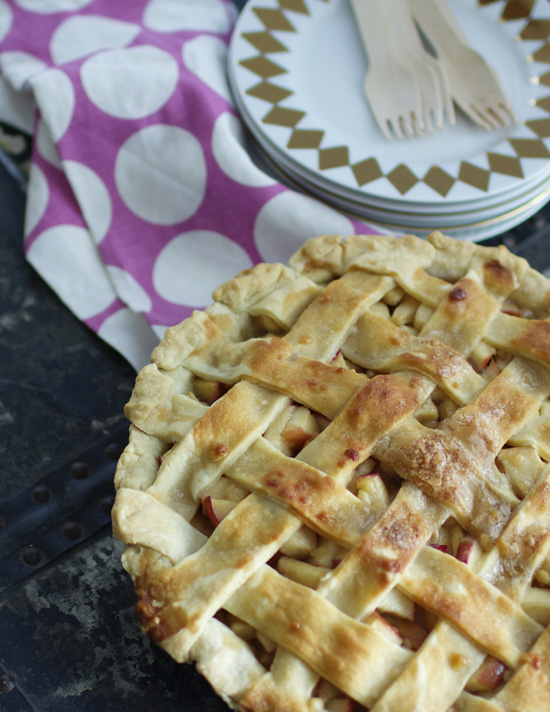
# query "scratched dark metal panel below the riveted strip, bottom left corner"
(70, 643)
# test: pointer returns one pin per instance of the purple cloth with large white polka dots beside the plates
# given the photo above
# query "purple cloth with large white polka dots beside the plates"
(142, 196)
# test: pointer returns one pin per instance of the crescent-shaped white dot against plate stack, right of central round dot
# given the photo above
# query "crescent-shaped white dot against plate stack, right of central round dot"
(228, 147)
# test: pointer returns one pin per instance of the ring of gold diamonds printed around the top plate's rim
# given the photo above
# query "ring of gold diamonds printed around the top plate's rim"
(279, 19)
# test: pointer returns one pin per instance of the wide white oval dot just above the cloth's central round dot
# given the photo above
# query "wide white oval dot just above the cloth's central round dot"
(140, 81)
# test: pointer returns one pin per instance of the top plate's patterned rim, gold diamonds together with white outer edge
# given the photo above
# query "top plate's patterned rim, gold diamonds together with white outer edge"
(268, 82)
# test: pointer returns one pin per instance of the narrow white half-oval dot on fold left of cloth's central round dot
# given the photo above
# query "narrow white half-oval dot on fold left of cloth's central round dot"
(92, 196)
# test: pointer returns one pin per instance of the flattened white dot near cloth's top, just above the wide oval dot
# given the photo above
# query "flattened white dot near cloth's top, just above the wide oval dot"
(82, 35)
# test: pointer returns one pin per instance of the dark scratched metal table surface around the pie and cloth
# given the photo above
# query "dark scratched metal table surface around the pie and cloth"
(68, 637)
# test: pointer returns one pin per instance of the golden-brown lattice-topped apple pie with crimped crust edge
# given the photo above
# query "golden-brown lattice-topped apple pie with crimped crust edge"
(336, 492)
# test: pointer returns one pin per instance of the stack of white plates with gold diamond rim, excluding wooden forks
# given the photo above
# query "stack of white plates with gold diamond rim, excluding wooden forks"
(297, 69)
